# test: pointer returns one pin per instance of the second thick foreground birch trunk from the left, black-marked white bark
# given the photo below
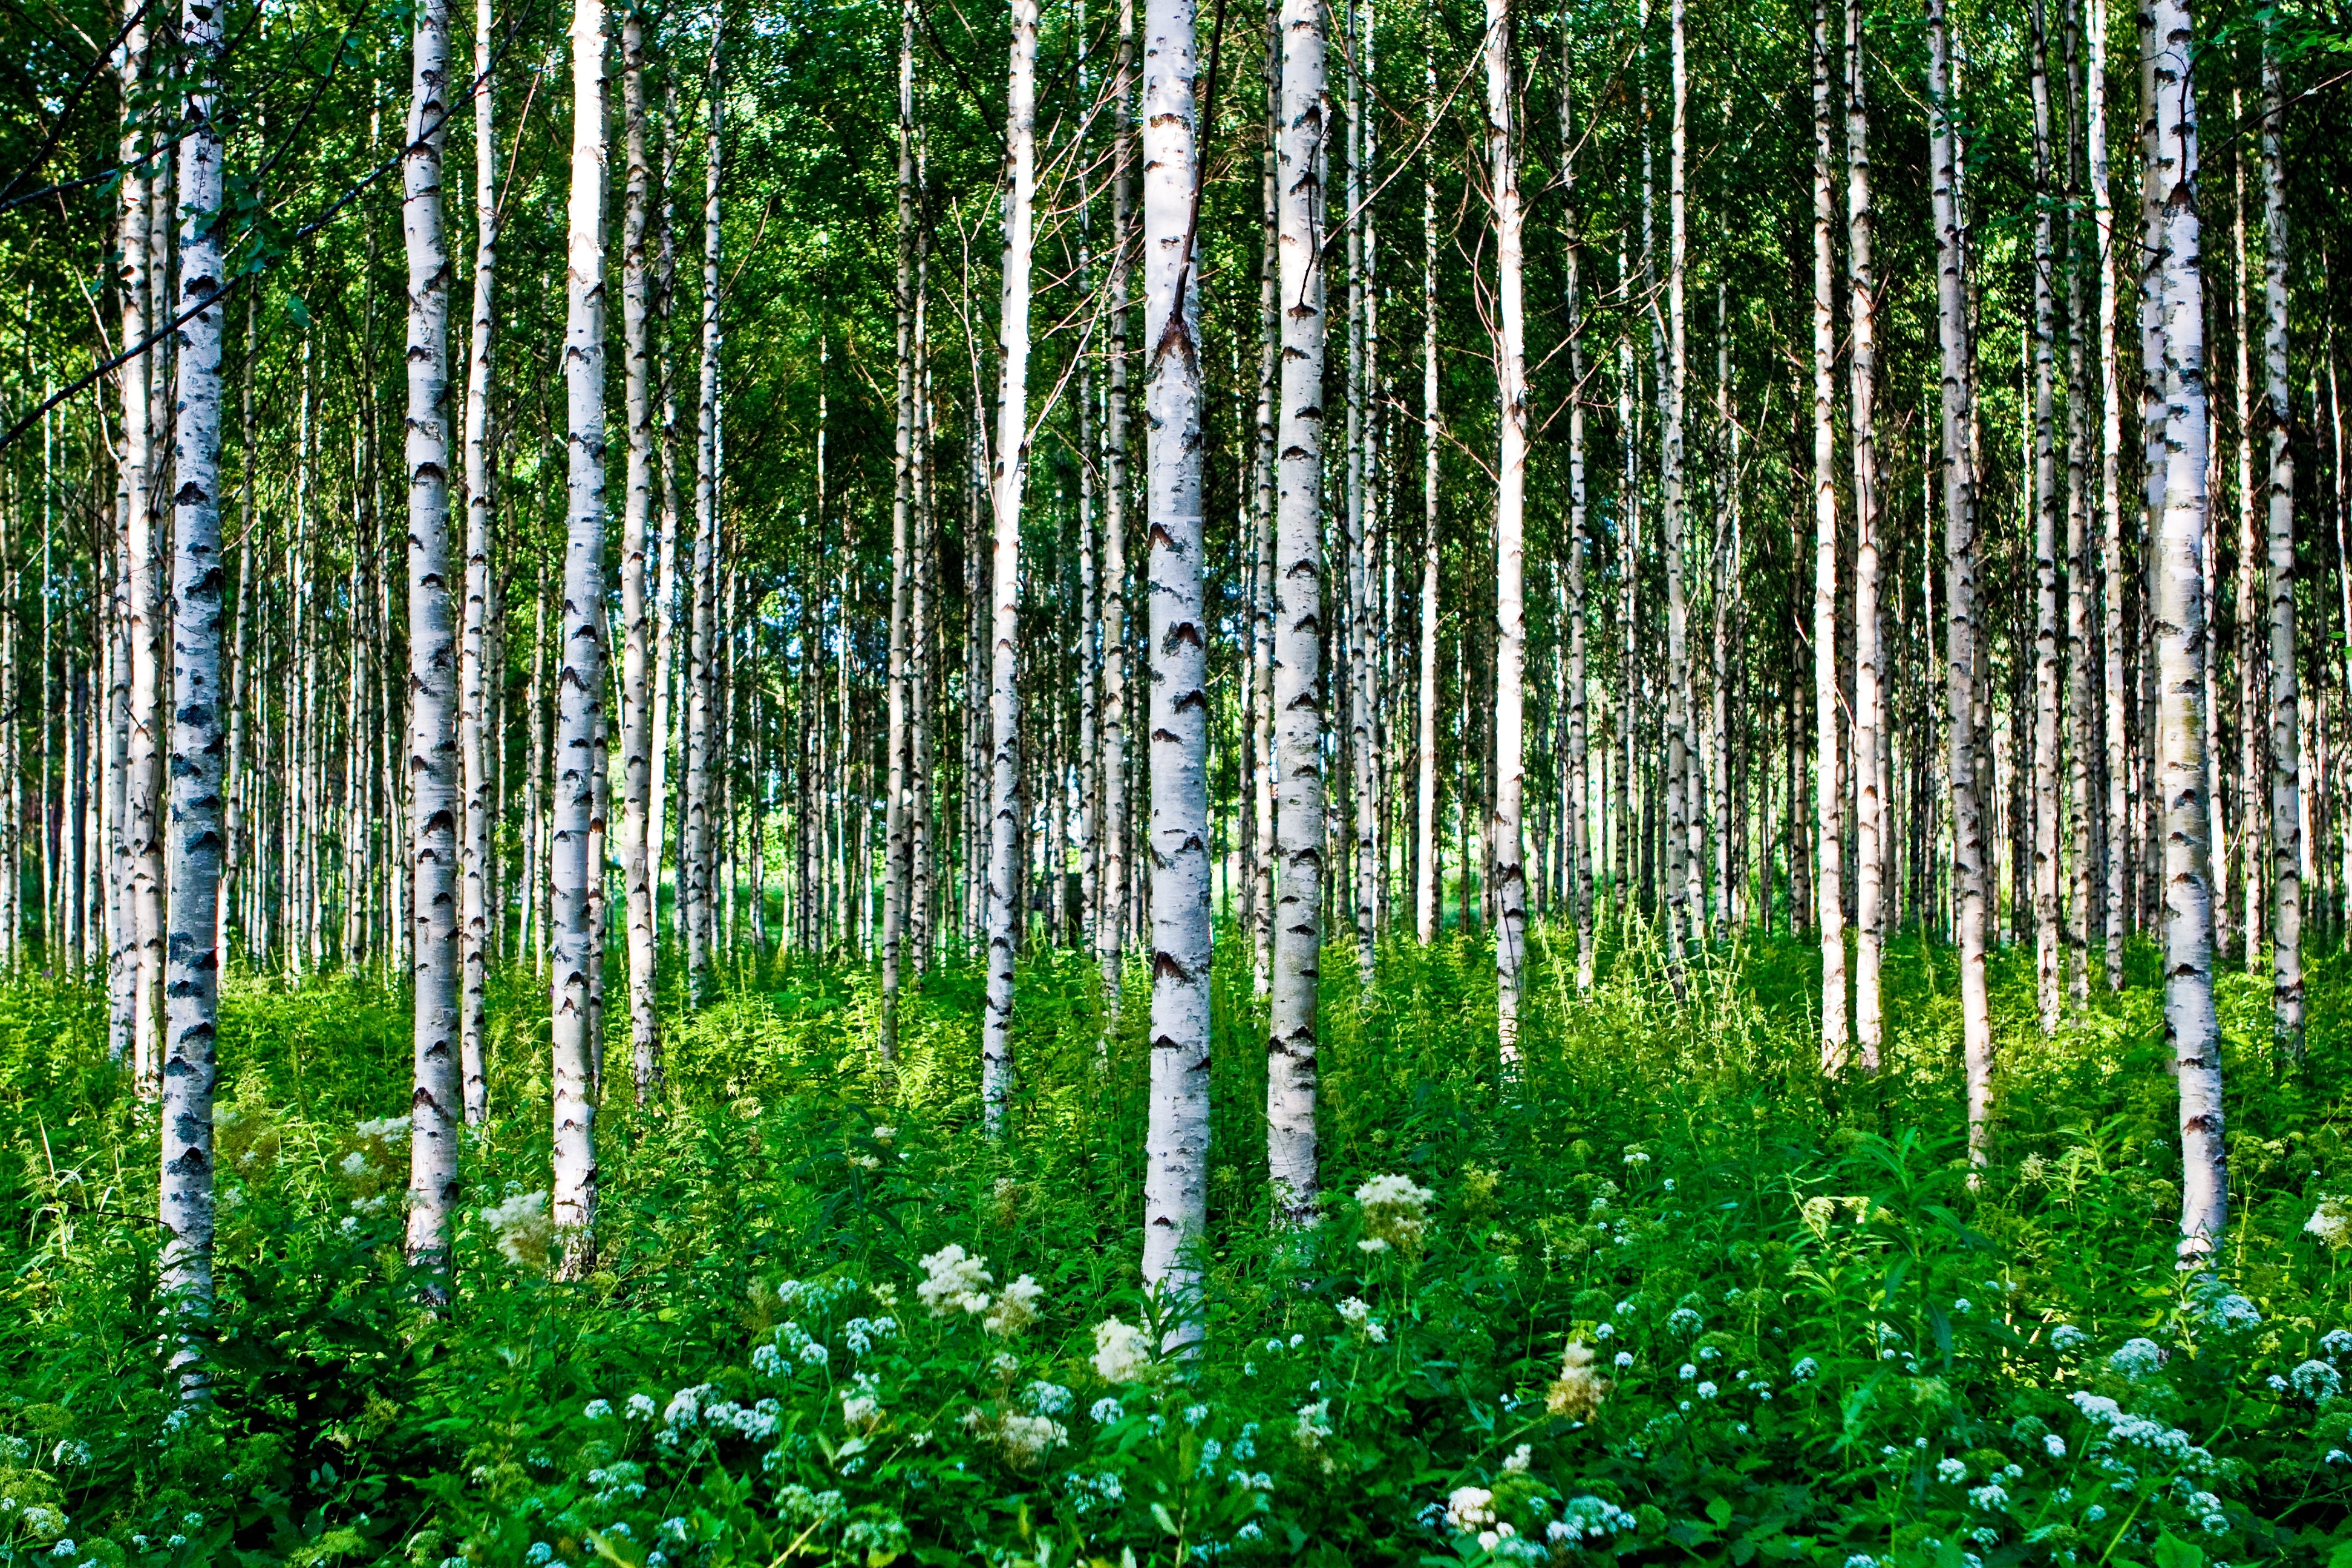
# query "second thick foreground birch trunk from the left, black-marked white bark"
(434, 765)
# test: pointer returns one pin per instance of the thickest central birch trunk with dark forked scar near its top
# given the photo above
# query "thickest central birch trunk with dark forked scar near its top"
(1177, 1144)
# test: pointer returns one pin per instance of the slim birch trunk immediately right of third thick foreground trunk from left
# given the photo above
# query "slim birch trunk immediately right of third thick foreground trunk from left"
(641, 852)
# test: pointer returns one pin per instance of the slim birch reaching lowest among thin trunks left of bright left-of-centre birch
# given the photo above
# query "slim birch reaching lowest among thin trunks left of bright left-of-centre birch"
(897, 876)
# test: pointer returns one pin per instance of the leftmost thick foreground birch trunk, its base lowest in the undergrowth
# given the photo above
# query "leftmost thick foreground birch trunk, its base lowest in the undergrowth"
(192, 1031)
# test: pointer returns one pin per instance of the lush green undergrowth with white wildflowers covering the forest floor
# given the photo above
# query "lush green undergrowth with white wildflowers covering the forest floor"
(1666, 1294)
